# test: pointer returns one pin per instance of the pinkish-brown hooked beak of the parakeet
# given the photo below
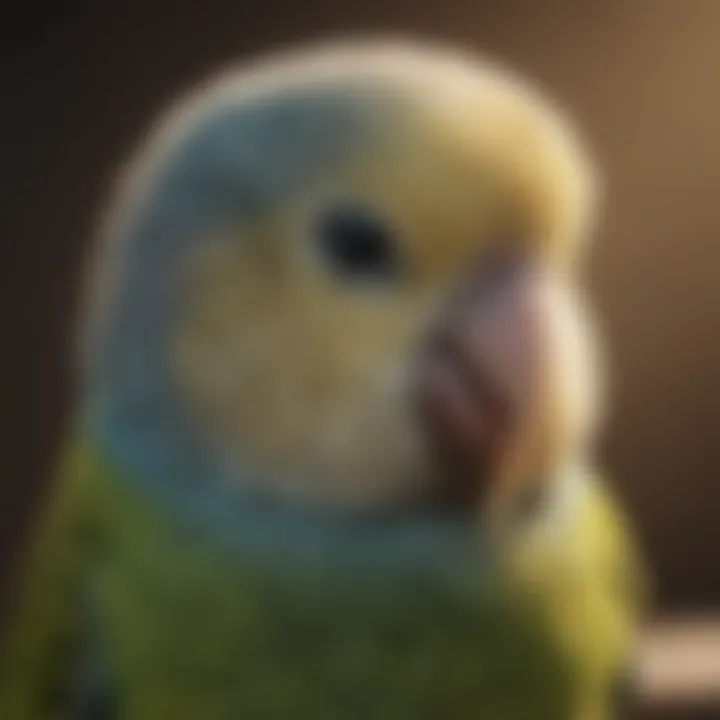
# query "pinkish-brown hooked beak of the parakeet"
(479, 375)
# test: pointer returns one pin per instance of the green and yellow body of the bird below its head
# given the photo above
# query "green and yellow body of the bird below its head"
(187, 614)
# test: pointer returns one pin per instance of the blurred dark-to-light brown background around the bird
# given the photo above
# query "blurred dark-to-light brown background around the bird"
(643, 78)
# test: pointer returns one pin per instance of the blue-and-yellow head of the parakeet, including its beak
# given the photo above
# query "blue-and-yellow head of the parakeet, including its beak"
(348, 274)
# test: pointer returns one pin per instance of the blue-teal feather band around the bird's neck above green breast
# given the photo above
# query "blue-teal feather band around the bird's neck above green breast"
(172, 472)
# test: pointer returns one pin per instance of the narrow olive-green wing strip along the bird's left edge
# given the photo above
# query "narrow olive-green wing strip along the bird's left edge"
(42, 640)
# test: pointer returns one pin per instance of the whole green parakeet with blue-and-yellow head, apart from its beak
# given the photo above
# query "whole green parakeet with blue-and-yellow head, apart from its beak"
(246, 523)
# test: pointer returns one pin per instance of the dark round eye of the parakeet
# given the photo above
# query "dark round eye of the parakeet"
(357, 244)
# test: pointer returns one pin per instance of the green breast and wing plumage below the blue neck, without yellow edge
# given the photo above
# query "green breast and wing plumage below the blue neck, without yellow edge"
(190, 628)
